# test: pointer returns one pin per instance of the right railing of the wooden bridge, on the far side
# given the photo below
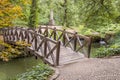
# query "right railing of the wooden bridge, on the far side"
(68, 39)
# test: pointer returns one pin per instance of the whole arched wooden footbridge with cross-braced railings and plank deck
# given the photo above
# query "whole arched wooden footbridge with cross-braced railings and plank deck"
(54, 46)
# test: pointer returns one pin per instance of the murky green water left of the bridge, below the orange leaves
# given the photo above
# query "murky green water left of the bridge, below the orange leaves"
(12, 68)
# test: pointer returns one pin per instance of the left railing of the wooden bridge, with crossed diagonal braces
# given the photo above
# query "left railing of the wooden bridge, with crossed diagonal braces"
(47, 49)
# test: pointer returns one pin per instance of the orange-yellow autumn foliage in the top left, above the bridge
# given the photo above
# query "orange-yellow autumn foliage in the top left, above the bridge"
(8, 12)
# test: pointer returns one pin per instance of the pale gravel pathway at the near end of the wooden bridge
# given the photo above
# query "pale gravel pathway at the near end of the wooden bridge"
(91, 69)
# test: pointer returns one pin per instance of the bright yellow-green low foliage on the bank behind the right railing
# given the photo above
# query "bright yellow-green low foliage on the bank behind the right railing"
(101, 32)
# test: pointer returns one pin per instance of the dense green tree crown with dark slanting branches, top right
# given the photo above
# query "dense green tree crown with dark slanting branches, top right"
(97, 13)
